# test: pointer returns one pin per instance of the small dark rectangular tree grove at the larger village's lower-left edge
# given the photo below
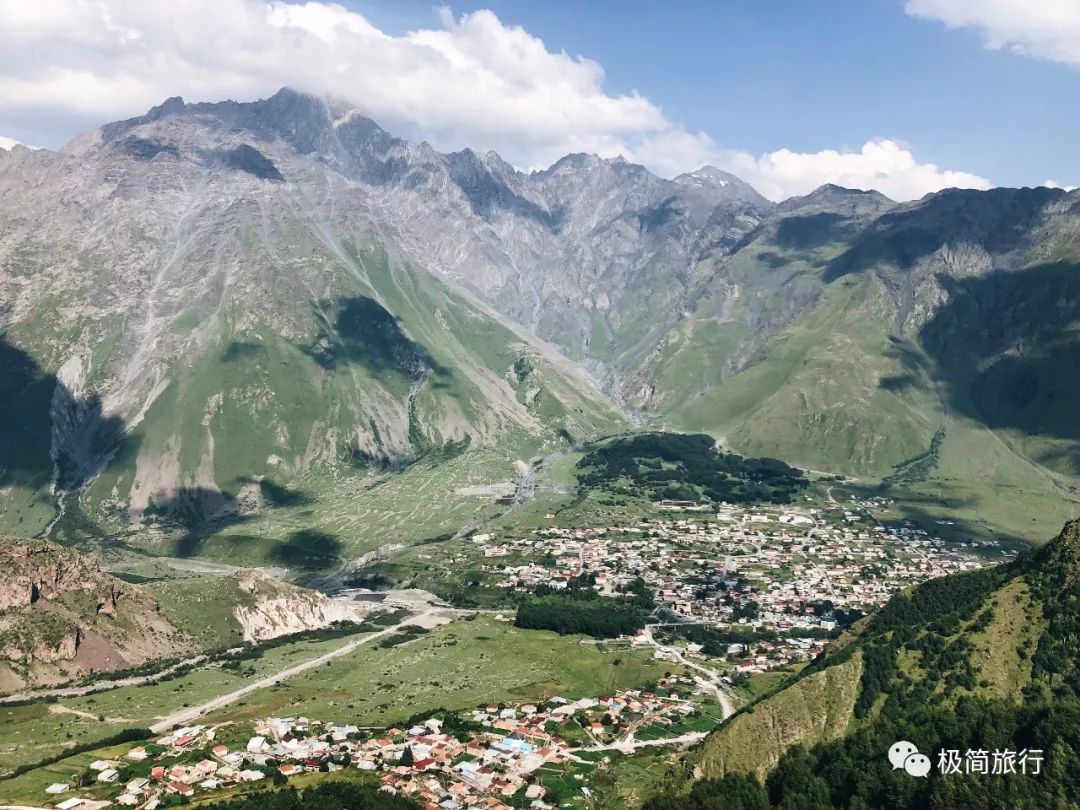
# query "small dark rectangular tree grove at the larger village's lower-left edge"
(571, 613)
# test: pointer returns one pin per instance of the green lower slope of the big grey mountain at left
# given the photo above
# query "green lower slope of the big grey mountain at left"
(363, 394)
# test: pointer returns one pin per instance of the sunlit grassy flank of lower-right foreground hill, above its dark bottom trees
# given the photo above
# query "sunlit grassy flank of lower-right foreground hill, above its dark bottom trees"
(998, 641)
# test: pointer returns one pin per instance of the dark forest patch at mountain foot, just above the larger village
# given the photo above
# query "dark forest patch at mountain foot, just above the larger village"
(685, 467)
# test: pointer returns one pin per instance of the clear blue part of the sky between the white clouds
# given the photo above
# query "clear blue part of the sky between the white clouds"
(764, 75)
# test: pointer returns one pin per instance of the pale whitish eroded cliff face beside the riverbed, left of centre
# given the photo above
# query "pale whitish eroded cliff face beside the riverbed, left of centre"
(276, 610)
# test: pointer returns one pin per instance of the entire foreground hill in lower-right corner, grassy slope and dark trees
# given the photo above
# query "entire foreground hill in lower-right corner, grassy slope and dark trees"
(985, 660)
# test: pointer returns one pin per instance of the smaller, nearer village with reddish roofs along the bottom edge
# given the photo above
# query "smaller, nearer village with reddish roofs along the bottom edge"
(493, 758)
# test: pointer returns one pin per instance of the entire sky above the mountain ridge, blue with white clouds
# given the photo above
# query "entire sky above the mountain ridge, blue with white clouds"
(906, 97)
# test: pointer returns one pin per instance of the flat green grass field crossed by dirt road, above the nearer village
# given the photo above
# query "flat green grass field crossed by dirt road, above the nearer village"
(457, 666)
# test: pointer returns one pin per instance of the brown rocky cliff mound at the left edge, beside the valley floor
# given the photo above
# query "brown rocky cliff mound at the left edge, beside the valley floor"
(63, 618)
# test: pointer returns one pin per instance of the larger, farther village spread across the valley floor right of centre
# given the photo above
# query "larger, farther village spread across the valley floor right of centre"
(787, 578)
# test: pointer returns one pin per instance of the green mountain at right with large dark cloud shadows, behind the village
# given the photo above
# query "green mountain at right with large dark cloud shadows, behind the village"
(927, 348)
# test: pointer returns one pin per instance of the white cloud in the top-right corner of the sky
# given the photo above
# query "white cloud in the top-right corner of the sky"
(1047, 30)
